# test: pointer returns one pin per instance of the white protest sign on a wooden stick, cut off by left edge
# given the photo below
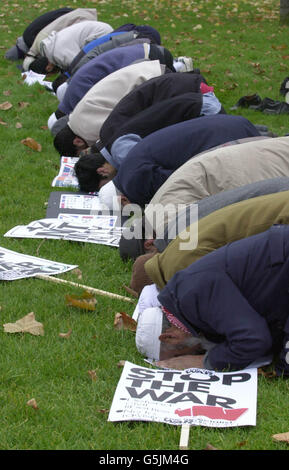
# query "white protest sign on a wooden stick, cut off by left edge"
(15, 265)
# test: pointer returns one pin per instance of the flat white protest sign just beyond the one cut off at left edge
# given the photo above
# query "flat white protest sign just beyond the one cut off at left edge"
(99, 230)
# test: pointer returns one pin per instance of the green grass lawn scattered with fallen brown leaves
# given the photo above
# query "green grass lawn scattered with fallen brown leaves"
(241, 49)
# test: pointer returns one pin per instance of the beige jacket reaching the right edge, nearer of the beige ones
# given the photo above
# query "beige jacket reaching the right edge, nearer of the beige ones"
(219, 170)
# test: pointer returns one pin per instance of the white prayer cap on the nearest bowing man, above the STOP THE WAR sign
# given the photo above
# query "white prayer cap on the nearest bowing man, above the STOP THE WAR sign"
(149, 329)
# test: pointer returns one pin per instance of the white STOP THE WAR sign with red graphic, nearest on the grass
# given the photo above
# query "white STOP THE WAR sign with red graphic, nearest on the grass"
(194, 397)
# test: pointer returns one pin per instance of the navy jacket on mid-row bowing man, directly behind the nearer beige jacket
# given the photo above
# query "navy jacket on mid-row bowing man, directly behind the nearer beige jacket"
(150, 162)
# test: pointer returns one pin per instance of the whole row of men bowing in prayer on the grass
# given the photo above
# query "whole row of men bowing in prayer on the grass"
(211, 249)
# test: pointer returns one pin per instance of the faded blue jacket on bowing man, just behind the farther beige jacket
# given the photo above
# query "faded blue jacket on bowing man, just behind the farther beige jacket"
(97, 69)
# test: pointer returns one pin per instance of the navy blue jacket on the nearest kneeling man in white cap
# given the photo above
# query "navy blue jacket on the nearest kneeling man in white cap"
(237, 297)
